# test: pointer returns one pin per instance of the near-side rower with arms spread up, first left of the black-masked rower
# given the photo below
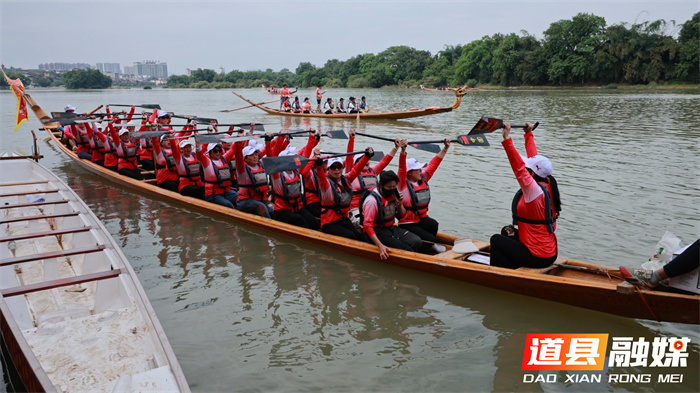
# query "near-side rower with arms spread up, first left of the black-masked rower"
(336, 195)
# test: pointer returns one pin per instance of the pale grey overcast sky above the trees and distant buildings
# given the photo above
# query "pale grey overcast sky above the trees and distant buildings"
(252, 35)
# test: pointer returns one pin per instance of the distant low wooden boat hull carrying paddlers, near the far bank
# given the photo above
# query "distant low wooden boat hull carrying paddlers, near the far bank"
(434, 110)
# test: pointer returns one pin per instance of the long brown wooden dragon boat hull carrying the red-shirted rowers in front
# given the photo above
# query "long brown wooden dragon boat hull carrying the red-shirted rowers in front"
(569, 281)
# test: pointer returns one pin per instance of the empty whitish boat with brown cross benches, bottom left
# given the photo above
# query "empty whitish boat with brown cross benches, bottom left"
(73, 314)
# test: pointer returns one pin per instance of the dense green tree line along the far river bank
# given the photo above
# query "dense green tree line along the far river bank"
(577, 52)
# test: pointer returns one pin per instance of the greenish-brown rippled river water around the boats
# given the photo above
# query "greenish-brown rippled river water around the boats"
(247, 310)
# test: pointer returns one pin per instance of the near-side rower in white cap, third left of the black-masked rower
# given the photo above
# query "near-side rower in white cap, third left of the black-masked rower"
(252, 179)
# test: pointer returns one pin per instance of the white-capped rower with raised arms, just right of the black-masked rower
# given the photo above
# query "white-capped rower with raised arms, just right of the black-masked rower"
(413, 184)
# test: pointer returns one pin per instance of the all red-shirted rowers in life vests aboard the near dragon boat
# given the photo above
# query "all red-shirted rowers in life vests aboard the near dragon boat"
(343, 196)
